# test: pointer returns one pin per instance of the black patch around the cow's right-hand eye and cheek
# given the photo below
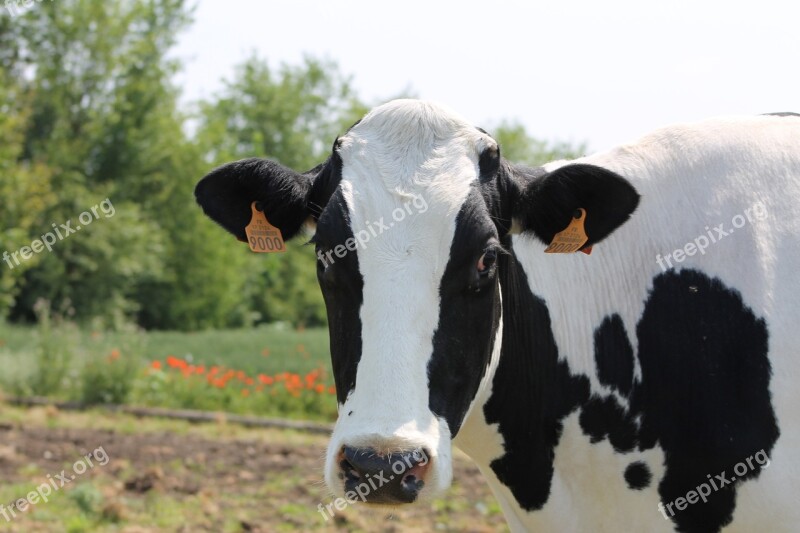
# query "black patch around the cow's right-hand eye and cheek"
(469, 314)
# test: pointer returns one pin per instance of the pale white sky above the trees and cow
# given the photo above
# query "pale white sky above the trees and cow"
(600, 72)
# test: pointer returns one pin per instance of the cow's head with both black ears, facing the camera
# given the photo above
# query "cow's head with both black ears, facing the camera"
(412, 214)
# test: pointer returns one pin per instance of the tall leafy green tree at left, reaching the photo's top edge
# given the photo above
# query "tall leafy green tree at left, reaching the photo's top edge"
(99, 113)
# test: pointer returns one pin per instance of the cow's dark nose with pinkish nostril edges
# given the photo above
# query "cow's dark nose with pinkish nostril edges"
(383, 478)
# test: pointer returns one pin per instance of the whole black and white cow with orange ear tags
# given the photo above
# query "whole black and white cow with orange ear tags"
(646, 387)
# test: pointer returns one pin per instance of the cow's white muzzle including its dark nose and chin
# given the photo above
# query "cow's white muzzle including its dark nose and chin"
(387, 464)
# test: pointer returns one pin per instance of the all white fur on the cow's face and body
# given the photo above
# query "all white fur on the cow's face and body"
(690, 176)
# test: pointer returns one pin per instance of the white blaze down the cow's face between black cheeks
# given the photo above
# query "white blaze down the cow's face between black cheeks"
(407, 169)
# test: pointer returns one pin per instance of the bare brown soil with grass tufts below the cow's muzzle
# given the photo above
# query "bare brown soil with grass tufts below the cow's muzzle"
(174, 476)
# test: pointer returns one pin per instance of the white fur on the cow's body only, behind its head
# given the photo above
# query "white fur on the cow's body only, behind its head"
(725, 166)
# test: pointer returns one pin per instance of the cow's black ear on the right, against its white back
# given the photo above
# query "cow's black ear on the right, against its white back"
(549, 202)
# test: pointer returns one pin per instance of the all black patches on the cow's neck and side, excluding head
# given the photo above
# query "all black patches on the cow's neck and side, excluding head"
(703, 398)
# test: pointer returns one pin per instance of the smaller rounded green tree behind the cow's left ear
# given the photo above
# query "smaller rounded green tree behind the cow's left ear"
(291, 114)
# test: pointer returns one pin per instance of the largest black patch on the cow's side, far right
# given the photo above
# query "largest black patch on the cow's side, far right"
(704, 395)
